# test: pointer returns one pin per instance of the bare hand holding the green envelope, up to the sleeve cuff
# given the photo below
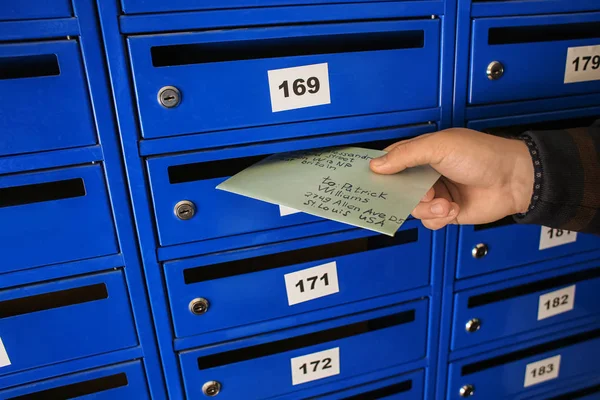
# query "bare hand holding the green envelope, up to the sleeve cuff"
(484, 177)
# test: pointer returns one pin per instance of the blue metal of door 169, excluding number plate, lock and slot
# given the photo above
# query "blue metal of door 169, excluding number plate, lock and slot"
(237, 95)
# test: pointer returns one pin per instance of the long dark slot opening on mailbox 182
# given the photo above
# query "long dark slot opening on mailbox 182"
(528, 288)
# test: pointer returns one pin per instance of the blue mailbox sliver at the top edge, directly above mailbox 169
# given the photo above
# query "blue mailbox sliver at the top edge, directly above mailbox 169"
(151, 6)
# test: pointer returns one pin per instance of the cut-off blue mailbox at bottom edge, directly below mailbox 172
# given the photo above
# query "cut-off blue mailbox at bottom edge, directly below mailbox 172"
(402, 387)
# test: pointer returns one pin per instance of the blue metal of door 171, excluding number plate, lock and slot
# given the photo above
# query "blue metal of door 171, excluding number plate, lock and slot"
(232, 296)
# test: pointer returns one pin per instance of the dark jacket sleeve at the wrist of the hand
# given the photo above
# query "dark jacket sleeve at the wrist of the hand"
(567, 184)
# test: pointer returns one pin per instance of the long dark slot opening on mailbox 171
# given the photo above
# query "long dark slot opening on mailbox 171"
(298, 256)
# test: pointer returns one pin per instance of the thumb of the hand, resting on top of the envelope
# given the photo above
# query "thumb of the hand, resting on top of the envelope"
(406, 154)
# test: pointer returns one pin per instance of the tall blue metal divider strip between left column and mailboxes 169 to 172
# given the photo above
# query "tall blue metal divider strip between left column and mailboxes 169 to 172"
(99, 84)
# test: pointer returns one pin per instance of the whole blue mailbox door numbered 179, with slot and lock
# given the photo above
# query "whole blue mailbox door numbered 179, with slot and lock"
(534, 57)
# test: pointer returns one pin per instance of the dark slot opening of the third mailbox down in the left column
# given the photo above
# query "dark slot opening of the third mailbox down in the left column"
(57, 299)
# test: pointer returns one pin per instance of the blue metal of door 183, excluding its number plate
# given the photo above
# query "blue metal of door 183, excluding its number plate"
(504, 377)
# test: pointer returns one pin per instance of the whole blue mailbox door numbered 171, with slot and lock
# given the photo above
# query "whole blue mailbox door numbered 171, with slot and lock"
(282, 280)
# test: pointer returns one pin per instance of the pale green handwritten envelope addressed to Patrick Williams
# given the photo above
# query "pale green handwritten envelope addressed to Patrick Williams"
(337, 184)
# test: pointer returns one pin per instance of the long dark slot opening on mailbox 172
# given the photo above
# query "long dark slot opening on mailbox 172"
(311, 339)
